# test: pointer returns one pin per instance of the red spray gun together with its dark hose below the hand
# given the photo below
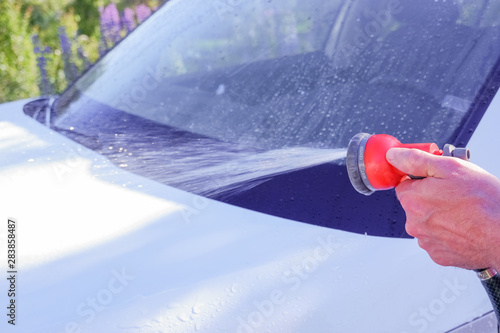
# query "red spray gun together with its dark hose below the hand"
(369, 171)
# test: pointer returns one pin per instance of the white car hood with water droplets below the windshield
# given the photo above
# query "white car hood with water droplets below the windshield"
(103, 250)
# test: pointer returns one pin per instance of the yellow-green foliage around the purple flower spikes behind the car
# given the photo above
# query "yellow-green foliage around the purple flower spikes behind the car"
(22, 19)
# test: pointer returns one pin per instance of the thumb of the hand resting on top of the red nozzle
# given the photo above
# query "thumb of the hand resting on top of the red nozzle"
(417, 163)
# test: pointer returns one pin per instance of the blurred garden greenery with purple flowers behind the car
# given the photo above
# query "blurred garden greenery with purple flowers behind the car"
(46, 44)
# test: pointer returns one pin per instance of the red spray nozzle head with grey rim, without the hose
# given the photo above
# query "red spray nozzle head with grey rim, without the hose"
(367, 165)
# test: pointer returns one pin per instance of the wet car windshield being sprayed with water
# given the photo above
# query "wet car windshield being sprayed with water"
(200, 84)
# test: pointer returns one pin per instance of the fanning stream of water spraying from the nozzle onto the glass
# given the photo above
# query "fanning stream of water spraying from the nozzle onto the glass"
(203, 165)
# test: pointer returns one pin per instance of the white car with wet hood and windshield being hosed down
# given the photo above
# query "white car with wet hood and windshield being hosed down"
(194, 180)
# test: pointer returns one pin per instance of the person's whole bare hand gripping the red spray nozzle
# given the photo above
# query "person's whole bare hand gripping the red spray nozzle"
(454, 212)
